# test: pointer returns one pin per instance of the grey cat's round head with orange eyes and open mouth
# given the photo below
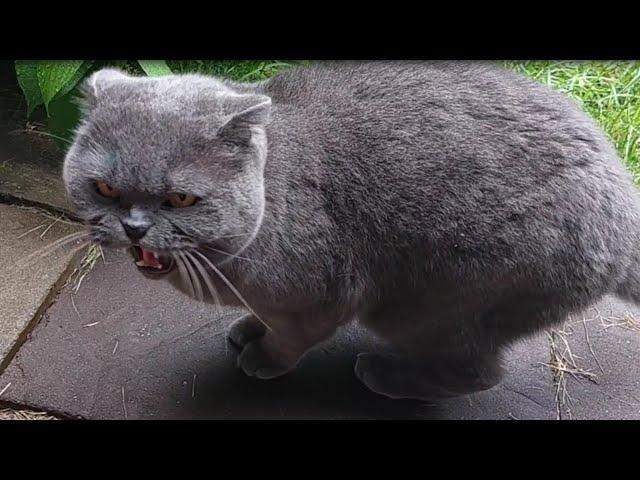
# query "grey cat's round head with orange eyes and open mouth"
(166, 164)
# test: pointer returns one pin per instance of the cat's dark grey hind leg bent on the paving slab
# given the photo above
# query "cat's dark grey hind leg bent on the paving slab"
(444, 354)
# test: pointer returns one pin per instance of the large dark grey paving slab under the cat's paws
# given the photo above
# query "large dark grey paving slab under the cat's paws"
(136, 349)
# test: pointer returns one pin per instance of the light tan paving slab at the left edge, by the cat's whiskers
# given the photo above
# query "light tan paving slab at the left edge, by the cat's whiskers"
(25, 290)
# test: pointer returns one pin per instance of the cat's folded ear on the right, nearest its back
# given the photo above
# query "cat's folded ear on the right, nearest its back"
(255, 110)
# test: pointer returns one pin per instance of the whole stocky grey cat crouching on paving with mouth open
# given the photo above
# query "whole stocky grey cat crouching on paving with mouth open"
(452, 207)
